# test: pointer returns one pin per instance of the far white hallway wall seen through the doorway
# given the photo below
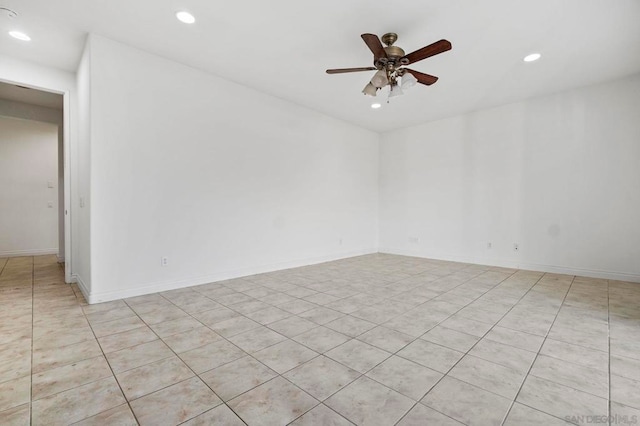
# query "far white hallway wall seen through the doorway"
(28, 162)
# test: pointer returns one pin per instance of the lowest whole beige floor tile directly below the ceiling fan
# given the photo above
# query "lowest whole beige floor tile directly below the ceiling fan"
(407, 377)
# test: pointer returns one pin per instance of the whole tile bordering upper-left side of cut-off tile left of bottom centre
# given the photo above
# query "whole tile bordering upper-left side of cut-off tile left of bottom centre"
(236, 377)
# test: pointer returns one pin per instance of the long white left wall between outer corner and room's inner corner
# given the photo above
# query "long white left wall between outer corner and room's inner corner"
(221, 179)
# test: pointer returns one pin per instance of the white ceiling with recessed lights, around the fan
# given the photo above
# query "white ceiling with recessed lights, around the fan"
(282, 47)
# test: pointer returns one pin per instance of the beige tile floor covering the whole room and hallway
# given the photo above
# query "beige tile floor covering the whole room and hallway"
(372, 340)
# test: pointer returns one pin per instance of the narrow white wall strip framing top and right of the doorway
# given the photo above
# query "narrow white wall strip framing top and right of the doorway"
(38, 76)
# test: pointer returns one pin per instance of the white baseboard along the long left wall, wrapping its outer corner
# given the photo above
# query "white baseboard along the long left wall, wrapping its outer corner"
(225, 275)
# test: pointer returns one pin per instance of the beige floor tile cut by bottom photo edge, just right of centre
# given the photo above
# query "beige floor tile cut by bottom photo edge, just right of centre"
(366, 402)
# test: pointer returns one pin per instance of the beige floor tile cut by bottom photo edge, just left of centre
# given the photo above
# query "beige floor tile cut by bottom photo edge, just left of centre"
(276, 402)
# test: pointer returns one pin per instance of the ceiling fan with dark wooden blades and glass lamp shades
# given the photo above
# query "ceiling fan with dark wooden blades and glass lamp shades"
(390, 61)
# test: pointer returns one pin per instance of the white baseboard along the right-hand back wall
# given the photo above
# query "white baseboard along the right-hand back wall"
(556, 269)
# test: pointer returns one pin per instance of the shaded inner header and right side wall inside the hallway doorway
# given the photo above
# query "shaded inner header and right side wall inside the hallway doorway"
(25, 111)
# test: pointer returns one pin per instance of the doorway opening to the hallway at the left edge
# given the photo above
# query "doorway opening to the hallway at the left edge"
(34, 190)
